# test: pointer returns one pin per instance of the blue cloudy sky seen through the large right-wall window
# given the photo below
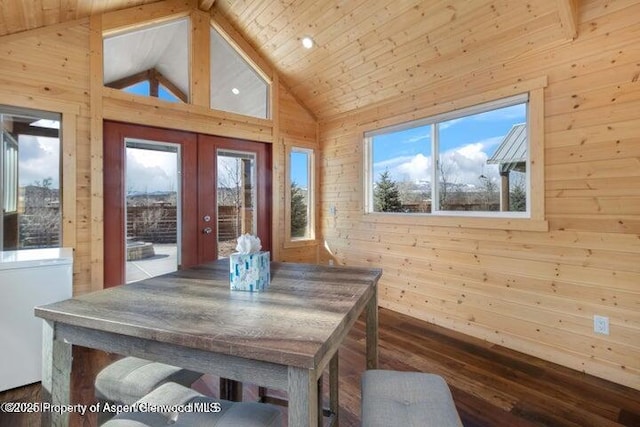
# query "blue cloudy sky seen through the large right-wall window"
(465, 145)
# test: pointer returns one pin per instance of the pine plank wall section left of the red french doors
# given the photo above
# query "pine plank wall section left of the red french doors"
(48, 69)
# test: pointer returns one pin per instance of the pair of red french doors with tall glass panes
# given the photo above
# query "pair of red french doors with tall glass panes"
(221, 189)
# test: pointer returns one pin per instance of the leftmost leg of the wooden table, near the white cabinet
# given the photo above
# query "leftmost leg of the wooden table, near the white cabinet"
(56, 375)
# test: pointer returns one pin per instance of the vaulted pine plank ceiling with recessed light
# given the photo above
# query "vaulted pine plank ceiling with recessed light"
(365, 51)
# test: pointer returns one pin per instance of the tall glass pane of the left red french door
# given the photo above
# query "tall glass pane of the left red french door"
(153, 211)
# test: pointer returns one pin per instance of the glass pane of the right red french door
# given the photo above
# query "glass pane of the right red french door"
(236, 193)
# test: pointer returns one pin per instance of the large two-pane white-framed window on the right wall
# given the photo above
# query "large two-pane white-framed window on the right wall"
(470, 162)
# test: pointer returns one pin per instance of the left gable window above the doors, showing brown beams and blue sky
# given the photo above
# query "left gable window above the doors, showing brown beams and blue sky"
(150, 61)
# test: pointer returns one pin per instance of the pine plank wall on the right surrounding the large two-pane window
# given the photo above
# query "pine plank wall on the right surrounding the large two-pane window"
(532, 291)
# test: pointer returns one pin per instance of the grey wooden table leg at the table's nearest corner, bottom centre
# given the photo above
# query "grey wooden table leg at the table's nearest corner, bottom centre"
(303, 398)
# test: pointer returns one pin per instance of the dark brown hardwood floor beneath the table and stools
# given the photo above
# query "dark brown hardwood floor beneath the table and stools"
(491, 385)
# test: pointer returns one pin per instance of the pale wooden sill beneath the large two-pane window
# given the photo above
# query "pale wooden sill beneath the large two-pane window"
(502, 223)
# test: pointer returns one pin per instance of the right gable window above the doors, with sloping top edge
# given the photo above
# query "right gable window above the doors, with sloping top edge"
(235, 85)
